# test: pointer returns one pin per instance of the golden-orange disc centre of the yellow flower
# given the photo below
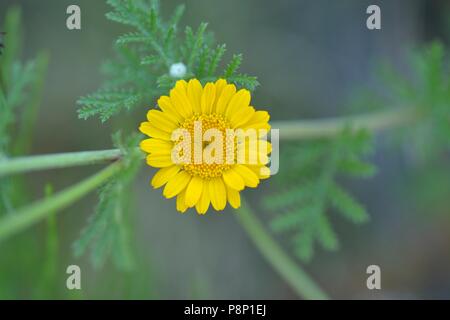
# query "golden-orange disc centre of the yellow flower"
(198, 125)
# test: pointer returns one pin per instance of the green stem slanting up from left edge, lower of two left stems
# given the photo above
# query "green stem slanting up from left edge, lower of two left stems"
(23, 218)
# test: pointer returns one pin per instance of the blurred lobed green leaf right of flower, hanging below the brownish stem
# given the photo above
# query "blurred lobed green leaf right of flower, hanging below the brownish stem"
(309, 189)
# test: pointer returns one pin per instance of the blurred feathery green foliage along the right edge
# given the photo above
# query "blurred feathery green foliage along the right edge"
(426, 86)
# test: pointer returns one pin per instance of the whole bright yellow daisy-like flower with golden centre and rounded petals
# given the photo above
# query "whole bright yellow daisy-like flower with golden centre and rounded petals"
(216, 110)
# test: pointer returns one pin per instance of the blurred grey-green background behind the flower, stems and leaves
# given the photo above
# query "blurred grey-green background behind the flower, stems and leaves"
(310, 57)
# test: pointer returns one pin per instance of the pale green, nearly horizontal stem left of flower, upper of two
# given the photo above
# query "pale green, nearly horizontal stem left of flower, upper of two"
(62, 160)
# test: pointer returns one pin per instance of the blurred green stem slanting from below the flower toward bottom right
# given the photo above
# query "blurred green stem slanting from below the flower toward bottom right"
(275, 255)
